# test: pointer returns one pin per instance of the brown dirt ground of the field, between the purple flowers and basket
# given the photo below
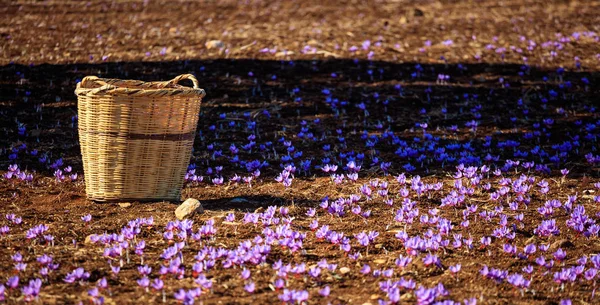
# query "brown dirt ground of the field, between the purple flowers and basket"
(280, 65)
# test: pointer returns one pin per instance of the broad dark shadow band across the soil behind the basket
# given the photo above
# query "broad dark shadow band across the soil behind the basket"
(280, 95)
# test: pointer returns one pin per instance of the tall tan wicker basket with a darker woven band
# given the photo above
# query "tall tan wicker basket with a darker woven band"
(136, 137)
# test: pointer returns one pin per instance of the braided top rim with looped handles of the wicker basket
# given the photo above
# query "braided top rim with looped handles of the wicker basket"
(95, 86)
